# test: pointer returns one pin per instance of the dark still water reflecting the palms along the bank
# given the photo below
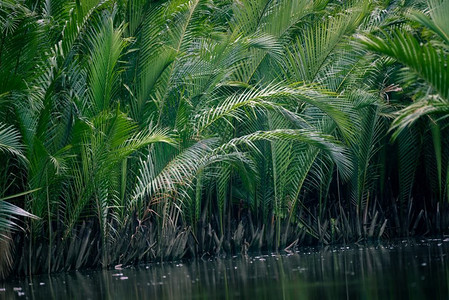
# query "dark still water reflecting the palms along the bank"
(399, 270)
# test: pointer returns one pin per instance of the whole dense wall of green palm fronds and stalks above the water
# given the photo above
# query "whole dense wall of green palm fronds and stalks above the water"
(142, 130)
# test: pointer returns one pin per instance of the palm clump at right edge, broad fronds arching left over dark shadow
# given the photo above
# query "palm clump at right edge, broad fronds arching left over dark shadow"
(421, 45)
